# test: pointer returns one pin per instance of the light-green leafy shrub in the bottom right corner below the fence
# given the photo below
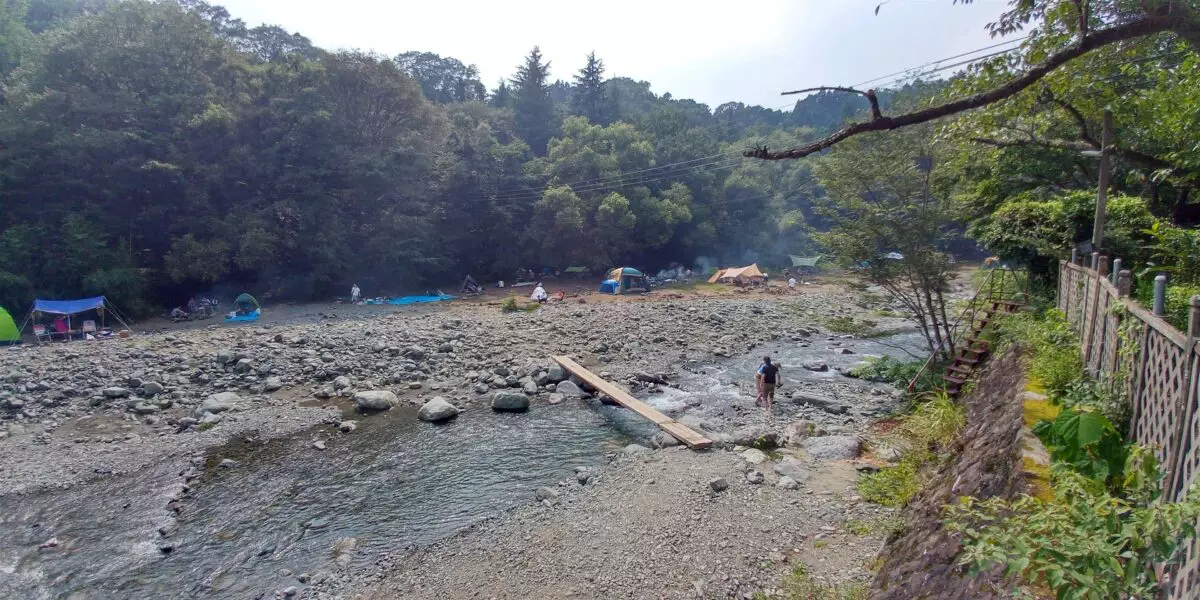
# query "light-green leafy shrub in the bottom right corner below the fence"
(1087, 542)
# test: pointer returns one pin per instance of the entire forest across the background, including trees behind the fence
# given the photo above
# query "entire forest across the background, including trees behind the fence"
(151, 151)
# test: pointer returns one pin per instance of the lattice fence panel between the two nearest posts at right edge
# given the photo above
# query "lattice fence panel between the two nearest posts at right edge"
(1162, 377)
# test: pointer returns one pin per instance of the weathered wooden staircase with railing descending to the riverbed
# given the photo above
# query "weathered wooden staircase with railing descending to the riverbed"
(1001, 293)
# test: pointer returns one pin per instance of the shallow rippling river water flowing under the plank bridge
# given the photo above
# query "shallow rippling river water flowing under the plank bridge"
(249, 531)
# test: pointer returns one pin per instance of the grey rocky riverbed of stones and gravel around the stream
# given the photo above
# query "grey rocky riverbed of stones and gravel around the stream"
(92, 412)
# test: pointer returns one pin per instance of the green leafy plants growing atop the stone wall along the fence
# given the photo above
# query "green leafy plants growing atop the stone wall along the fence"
(1102, 526)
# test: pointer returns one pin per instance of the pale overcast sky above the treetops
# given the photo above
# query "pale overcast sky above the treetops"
(709, 51)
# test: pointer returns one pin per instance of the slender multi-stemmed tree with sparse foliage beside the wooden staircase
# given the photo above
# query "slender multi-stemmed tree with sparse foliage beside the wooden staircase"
(883, 201)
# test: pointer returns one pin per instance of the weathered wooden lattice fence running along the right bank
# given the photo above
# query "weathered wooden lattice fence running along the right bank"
(1161, 371)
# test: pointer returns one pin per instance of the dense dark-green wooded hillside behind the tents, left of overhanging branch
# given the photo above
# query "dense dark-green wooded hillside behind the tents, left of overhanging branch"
(157, 149)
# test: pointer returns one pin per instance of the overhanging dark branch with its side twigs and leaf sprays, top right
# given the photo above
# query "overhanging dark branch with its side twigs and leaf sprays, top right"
(1070, 29)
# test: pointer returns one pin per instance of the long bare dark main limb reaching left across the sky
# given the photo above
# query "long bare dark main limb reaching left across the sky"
(1135, 29)
